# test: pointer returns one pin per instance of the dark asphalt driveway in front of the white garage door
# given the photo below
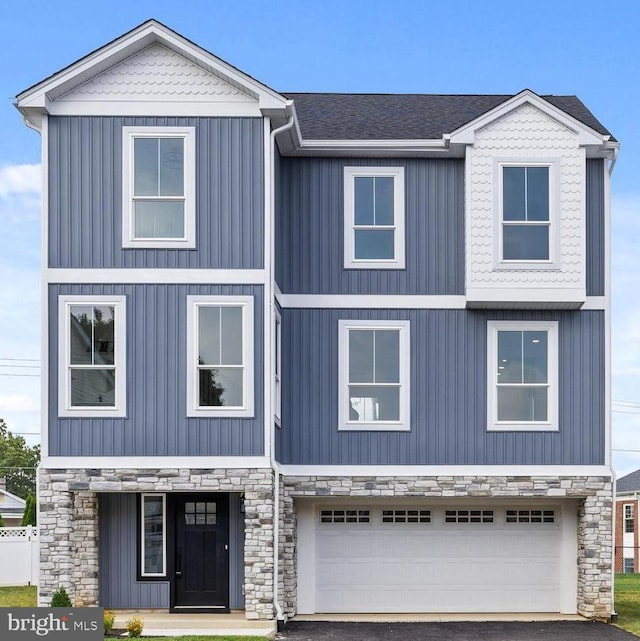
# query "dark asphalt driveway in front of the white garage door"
(454, 631)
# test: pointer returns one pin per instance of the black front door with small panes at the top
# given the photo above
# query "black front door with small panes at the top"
(202, 552)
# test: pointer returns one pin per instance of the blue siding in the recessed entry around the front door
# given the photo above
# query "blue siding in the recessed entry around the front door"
(118, 549)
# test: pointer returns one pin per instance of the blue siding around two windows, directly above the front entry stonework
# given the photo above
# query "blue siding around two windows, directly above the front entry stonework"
(156, 423)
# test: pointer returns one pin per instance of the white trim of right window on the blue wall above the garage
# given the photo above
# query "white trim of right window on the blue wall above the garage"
(551, 424)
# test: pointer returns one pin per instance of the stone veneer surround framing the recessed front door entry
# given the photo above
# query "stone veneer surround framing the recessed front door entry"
(68, 525)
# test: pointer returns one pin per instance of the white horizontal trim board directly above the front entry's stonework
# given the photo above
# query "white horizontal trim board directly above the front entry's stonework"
(154, 462)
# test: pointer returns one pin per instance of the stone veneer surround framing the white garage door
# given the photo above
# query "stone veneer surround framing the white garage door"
(594, 495)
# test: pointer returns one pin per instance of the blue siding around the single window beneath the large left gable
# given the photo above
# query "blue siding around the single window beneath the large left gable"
(85, 194)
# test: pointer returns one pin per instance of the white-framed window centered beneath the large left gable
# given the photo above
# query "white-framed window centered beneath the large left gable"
(158, 187)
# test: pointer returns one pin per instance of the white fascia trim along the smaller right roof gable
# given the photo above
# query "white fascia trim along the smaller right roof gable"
(586, 135)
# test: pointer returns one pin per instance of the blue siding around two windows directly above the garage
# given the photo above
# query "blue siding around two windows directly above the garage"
(448, 393)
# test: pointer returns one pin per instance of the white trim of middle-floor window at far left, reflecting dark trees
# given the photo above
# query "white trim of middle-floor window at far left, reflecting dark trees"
(65, 408)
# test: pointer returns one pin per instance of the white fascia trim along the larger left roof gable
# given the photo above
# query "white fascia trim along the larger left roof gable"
(134, 41)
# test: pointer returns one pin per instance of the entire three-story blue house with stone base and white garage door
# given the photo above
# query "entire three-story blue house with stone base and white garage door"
(320, 353)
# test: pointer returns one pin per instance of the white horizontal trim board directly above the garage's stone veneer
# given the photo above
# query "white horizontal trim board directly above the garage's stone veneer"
(446, 470)
